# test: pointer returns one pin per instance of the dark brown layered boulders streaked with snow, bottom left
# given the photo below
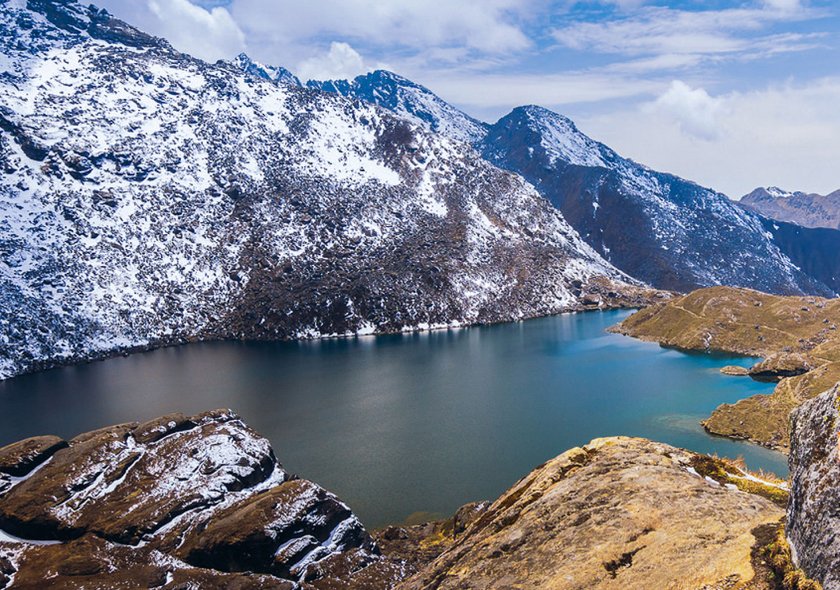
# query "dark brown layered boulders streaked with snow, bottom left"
(176, 502)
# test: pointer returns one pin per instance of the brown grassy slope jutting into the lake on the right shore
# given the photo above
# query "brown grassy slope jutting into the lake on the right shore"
(798, 336)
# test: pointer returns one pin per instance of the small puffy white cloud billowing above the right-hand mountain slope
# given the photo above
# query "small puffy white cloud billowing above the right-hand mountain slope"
(692, 109)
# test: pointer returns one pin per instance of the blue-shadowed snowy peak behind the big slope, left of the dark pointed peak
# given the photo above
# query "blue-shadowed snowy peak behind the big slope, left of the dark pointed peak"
(409, 100)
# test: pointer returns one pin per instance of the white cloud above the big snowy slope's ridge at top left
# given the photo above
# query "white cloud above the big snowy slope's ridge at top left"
(208, 34)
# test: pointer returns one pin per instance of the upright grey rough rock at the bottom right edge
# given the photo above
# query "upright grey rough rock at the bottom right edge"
(813, 523)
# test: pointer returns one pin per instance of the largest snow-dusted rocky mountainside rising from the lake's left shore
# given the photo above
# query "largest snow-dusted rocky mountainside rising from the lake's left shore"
(150, 198)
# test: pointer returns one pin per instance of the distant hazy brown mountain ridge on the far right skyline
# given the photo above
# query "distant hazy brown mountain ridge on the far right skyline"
(807, 210)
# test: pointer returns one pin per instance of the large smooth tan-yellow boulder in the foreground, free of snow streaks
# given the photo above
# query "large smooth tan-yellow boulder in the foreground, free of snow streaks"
(618, 513)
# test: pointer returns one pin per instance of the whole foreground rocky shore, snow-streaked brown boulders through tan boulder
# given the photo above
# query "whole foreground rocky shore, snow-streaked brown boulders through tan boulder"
(201, 501)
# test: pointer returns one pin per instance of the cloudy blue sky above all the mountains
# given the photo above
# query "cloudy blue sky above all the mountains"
(732, 94)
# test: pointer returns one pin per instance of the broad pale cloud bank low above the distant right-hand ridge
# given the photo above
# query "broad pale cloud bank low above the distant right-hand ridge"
(783, 135)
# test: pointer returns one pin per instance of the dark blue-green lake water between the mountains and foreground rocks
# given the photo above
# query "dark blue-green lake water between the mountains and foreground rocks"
(411, 423)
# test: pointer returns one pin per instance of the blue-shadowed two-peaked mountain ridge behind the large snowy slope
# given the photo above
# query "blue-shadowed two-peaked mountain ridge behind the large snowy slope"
(656, 227)
